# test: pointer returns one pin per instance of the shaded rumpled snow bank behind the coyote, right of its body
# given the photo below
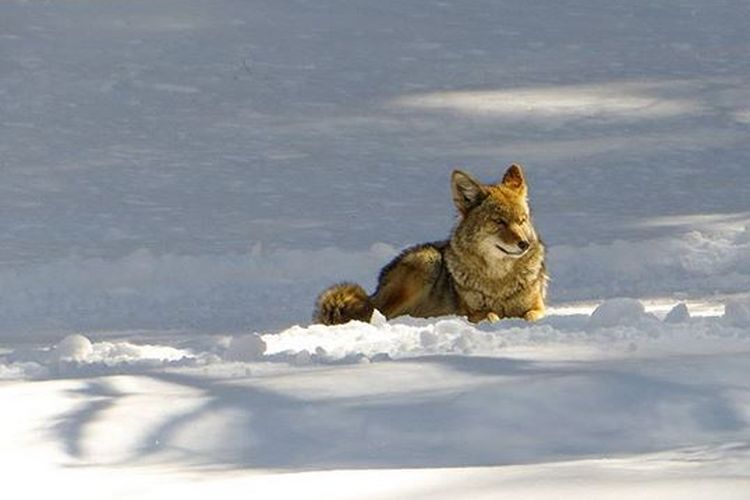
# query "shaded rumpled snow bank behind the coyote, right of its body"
(702, 261)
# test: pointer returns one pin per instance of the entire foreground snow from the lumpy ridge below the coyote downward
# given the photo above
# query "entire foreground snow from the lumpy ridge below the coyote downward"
(613, 403)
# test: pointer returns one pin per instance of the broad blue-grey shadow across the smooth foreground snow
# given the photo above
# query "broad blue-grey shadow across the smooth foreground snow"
(514, 412)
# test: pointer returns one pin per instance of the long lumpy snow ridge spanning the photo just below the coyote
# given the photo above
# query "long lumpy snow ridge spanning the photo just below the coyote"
(617, 327)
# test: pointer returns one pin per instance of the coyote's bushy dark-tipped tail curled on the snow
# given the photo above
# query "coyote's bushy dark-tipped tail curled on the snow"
(341, 303)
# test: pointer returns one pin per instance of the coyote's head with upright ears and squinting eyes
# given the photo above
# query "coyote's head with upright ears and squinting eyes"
(495, 222)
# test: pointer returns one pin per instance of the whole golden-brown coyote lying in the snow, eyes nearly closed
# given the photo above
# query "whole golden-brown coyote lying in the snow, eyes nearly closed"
(491, 267)
